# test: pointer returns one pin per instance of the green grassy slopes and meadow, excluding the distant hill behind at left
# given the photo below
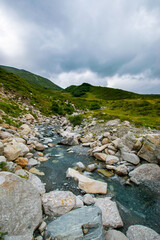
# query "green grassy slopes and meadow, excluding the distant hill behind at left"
(140, 109)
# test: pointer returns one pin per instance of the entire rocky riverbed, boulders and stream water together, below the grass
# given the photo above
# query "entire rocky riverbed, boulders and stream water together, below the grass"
(60, 182)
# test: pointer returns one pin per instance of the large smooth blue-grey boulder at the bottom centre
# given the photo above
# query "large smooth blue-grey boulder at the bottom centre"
(83, 223)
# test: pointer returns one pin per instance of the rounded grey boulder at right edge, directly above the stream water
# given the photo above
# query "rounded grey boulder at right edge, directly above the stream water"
(147, 174)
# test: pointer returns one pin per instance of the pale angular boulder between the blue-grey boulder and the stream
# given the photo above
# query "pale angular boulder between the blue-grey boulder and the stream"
(110, 213)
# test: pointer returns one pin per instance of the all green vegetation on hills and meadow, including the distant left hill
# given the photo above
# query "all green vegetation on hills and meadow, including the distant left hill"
(99, 102)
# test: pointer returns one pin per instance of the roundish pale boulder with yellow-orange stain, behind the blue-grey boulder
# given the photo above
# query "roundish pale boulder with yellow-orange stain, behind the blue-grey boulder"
(56, 203)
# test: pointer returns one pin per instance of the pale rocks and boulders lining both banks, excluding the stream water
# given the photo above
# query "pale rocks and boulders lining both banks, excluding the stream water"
(118, 147)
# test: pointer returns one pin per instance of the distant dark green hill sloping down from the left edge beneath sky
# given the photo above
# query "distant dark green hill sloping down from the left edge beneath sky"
(32, 78)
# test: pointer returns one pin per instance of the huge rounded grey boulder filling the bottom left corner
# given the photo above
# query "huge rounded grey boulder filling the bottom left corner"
(20, 206)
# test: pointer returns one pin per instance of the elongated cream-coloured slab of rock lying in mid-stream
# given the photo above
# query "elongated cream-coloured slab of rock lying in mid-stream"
(87, 184)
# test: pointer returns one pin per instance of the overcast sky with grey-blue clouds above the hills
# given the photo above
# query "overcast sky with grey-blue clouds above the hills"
(114, 43)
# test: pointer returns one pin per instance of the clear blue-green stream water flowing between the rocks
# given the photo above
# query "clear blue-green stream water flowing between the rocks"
(137, 204)
